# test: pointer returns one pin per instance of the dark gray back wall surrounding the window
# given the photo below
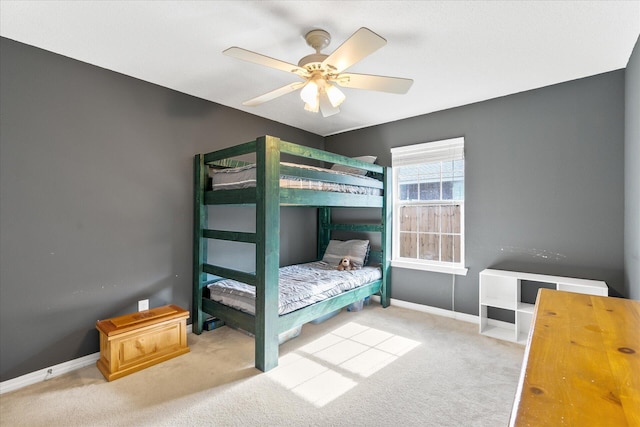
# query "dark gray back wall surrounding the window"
(544, 185)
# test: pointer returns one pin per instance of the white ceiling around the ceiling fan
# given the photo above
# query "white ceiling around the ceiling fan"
(457, 52)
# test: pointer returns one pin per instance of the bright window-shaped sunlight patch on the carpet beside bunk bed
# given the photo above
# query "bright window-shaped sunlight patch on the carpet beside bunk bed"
(330, 366)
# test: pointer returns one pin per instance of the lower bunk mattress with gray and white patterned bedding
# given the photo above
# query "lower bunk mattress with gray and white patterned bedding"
(300, 285)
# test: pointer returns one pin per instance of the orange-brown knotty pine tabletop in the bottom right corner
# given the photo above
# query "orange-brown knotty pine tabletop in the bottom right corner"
(581, 364)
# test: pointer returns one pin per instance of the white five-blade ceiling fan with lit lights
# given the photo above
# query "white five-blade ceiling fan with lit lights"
(319, 71)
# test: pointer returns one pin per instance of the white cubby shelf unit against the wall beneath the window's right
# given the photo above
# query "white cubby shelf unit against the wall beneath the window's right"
(501, 289)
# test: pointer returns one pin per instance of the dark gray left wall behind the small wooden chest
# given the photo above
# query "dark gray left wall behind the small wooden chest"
(96, 199)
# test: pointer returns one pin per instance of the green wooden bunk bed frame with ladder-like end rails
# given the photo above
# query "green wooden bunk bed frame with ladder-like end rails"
(266, 324)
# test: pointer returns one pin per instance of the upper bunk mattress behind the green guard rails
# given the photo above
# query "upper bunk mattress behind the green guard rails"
(245, 177)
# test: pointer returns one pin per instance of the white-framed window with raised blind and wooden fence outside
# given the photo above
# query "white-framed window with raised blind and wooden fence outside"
(428, 206)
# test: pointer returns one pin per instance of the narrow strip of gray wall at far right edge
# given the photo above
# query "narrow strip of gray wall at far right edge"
(632, 176)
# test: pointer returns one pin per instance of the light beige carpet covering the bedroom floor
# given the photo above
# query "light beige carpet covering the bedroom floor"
(375, 367)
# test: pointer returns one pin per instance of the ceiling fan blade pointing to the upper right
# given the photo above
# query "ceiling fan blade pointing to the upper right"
(362, 43)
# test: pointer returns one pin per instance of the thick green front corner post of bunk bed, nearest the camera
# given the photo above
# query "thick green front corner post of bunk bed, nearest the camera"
(267, 251)
